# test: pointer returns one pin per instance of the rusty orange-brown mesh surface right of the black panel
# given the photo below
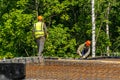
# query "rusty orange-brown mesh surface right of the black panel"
(66, 69)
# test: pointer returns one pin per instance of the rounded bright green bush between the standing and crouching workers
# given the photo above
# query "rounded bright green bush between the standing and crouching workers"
(62, 47)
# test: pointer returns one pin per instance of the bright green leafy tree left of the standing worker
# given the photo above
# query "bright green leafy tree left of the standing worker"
(15, 37)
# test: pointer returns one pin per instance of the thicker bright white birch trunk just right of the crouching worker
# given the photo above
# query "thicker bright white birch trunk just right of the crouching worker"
(93, 29)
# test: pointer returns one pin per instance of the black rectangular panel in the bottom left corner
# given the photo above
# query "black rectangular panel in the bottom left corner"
(12, 71)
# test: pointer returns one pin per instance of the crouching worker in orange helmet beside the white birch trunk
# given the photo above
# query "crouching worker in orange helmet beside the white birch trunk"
(84, 49)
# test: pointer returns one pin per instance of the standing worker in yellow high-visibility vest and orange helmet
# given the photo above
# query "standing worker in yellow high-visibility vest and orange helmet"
(40, 34)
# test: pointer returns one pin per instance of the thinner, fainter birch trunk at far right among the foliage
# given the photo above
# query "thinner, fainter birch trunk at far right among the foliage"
(107, 28)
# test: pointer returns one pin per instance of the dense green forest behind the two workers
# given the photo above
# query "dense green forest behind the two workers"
(69, 24)
